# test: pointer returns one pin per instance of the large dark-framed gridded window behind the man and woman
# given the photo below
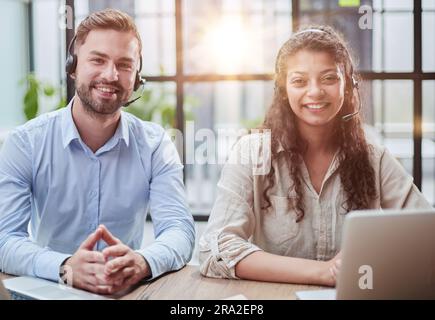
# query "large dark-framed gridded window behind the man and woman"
(217, 57)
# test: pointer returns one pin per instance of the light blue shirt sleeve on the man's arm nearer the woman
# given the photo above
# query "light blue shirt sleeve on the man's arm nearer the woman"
(172, 221)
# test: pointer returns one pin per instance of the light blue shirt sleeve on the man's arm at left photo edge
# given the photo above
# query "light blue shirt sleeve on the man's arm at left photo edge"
(19, 255)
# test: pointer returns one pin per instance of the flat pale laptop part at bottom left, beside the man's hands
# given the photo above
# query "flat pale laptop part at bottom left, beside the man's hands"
(29, 288)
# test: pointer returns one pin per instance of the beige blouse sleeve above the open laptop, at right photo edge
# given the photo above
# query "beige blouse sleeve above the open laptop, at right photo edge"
(397, 188)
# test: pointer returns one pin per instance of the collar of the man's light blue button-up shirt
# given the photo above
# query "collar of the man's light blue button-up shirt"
(70, 132)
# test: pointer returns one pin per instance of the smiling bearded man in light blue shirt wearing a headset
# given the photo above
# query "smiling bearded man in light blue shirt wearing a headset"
(81, 179)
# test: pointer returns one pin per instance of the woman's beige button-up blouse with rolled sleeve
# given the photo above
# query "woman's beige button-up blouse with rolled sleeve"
(237, 226)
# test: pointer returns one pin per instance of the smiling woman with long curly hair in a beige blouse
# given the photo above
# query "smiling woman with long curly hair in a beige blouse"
(285, 225)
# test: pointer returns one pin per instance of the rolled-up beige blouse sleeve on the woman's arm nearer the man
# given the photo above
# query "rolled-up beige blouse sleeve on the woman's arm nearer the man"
(232, 222)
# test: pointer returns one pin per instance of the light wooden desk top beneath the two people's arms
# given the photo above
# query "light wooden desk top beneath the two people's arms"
(188, 284)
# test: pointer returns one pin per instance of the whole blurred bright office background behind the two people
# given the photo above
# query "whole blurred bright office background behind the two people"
(209, 65)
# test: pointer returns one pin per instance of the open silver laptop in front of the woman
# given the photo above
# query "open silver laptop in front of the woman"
(385, 255)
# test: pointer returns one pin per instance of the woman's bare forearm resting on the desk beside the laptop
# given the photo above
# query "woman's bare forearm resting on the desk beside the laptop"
(263, 266)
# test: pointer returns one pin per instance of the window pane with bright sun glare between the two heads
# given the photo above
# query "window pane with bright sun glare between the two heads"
(231, 37)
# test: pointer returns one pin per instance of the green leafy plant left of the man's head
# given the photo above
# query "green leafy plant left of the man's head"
(37, 88)
